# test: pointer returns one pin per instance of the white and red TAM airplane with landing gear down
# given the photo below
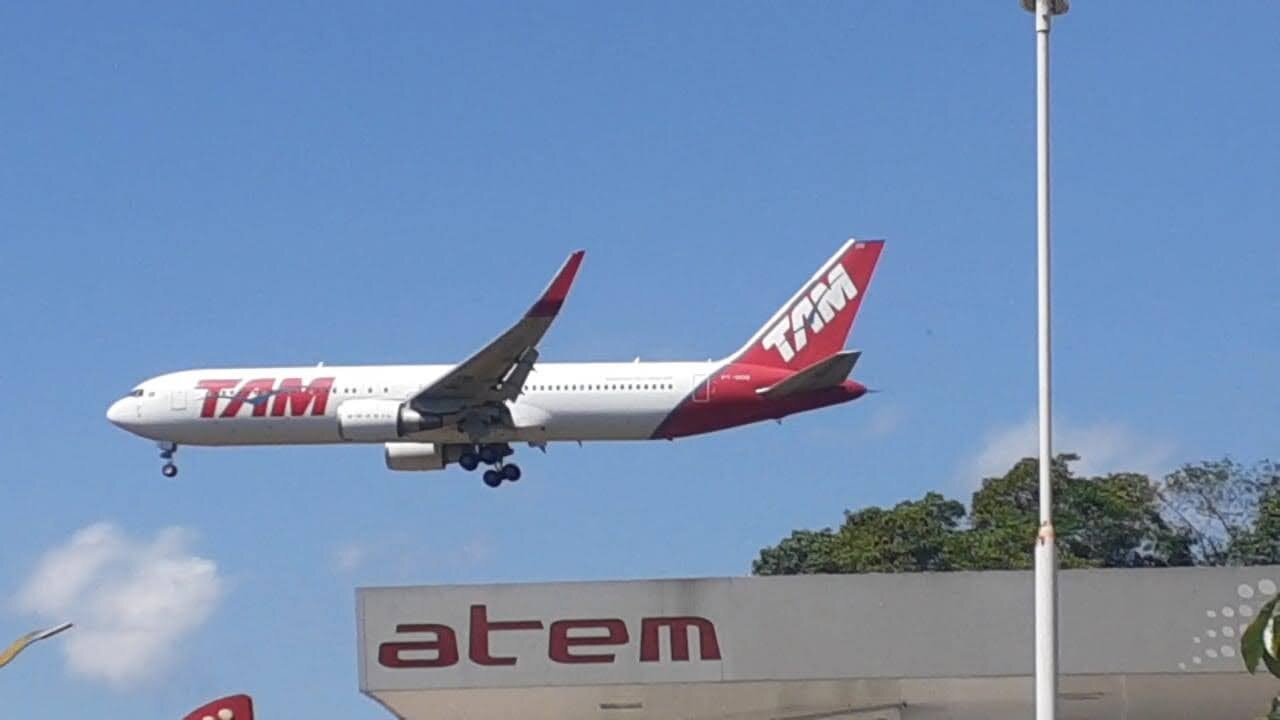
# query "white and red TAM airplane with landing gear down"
(429, 417)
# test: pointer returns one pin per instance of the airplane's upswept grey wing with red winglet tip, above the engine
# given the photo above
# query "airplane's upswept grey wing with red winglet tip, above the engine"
(497, 372)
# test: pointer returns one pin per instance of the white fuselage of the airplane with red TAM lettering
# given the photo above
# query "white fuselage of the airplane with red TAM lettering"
(561, 402)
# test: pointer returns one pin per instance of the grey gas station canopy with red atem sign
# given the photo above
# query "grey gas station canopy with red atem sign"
(1135, 644)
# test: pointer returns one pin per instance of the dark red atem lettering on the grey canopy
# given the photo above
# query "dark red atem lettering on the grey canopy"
(570, 642)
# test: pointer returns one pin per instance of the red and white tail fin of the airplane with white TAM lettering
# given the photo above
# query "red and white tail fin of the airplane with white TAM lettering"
(816, 322)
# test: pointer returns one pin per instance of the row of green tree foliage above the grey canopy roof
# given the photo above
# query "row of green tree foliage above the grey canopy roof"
(1213, 513)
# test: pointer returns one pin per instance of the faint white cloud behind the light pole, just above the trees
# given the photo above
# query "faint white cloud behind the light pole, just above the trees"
(1104, 448)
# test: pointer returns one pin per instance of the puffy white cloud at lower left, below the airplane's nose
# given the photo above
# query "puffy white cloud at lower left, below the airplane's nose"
(132, 600)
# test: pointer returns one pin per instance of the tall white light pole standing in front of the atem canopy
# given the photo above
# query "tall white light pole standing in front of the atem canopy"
(1046, 550)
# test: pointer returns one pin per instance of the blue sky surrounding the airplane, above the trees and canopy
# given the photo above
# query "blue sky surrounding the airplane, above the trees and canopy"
(200, 185)
